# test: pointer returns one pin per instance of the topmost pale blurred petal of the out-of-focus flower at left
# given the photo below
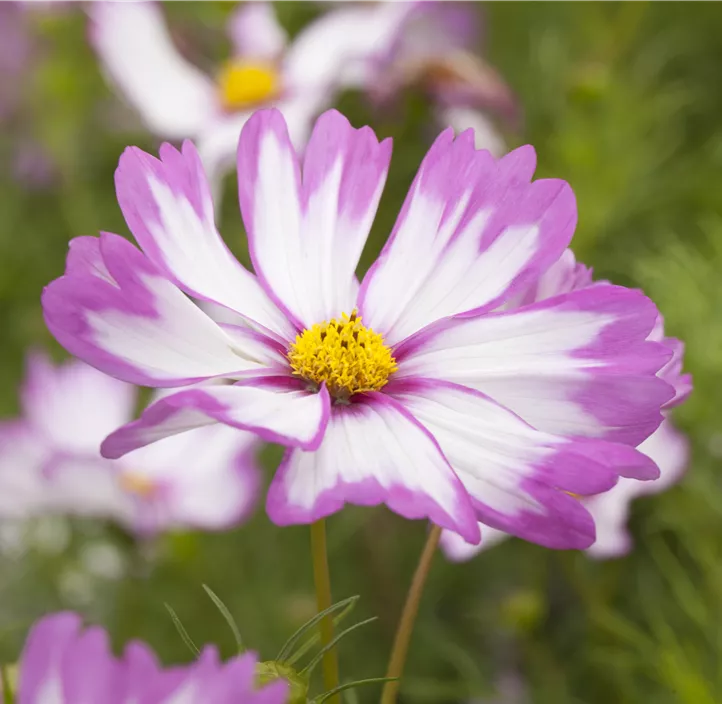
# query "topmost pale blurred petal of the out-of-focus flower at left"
(73, 405)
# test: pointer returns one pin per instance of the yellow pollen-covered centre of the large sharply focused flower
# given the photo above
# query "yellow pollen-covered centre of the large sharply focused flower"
(349, 357)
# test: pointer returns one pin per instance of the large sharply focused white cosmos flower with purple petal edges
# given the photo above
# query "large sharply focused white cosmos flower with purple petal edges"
(409, 388)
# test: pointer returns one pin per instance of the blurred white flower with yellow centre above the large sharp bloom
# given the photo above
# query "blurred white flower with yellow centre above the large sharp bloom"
(177, 100)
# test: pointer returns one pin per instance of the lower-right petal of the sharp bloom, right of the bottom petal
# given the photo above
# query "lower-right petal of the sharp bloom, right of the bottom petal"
(519, 478)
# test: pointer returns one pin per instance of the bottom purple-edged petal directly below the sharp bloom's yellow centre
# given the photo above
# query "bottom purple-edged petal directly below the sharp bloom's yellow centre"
(373, 452)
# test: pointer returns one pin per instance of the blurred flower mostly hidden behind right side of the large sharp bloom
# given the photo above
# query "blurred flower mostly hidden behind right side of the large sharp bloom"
(666, 447)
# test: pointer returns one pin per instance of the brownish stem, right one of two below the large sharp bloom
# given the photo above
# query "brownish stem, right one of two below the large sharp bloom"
(408, 618)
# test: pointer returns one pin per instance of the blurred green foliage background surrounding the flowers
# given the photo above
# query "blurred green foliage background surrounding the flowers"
(623, 100)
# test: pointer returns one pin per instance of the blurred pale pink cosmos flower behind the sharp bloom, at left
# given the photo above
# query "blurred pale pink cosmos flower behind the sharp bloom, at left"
(50, 459)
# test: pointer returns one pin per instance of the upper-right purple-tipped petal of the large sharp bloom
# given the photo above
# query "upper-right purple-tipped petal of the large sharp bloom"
(471, 233)
